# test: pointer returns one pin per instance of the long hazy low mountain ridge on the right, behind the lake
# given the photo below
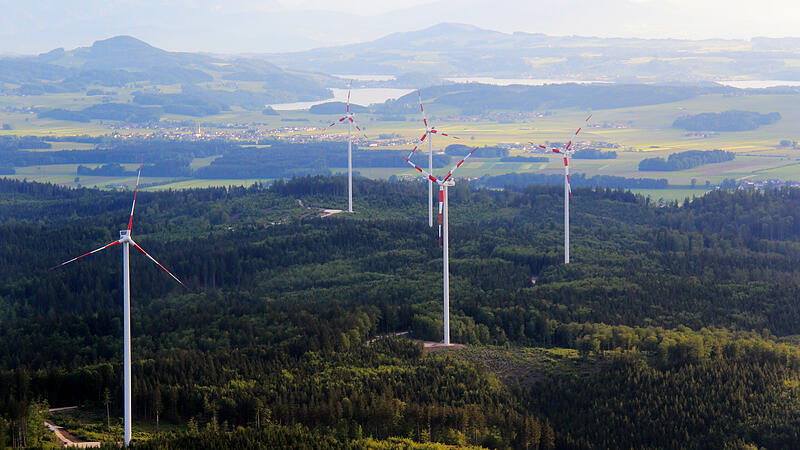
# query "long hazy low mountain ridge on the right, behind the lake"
(463, 50)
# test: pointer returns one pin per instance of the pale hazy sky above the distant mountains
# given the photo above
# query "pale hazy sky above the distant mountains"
(234, 26)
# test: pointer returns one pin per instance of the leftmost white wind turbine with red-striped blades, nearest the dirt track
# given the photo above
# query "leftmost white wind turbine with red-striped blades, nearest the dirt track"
(126, 241)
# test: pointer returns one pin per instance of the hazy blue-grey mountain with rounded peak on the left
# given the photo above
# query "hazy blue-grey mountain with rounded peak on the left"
(124, 61)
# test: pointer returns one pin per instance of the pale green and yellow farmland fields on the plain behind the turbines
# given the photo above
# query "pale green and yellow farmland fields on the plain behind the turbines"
(638, 133)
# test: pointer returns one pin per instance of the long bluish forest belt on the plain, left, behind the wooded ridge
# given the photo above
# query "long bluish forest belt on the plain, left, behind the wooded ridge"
(275, 159)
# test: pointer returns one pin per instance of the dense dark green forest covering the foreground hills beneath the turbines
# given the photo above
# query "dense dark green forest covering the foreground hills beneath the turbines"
(675, 326)
